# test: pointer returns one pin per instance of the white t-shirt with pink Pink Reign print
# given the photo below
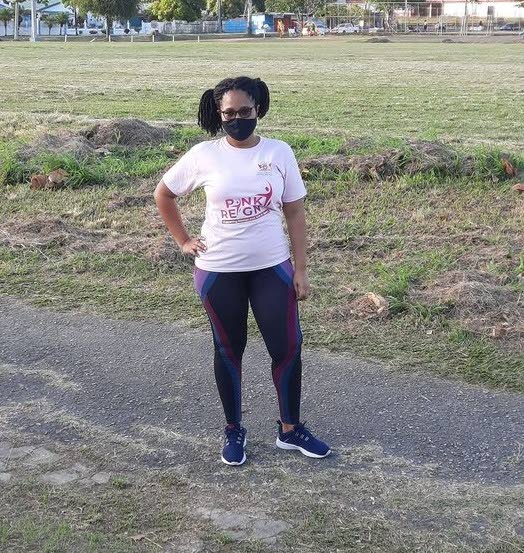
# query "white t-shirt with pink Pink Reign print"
(245, 189)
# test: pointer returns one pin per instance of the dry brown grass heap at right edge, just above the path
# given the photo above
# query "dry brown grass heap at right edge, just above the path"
(478, 300)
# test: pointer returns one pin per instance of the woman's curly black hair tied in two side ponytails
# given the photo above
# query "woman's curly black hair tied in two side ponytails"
(208, 116)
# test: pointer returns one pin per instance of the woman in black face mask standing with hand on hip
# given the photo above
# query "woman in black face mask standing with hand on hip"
(243, 255)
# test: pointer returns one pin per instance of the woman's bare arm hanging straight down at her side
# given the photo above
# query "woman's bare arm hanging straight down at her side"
(296, 224)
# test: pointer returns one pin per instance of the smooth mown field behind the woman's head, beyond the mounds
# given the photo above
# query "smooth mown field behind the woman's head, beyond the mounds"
(467, 92)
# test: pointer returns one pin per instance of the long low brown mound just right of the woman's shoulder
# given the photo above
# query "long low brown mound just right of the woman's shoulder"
(415, 157)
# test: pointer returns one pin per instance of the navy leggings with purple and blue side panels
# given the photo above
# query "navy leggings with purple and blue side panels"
(271, 293)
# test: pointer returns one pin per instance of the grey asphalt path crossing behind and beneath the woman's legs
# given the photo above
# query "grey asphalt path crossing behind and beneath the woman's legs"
(127, 375)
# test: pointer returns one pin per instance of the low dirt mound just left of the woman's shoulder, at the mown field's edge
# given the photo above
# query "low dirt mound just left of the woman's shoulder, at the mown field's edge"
(126, 132)
